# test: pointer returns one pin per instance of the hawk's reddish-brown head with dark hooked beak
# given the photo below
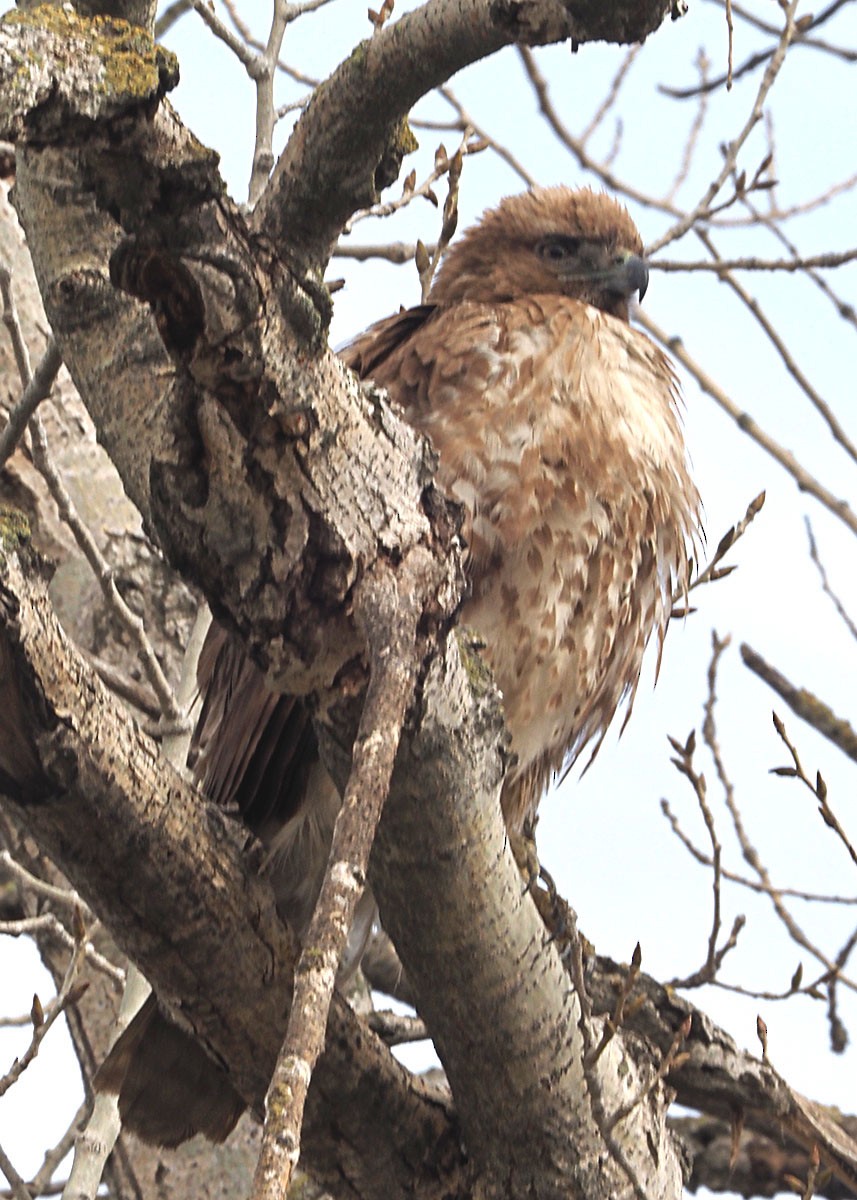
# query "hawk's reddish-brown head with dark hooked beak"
(550, 239)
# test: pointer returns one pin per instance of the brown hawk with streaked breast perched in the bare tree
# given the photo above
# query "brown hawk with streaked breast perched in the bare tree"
(558, 429)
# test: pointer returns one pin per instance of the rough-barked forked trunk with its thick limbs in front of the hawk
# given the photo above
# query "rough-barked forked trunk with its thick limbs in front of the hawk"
(197, 341)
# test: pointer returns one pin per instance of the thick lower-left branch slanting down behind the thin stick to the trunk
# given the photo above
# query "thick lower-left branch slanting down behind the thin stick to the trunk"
(171, 878)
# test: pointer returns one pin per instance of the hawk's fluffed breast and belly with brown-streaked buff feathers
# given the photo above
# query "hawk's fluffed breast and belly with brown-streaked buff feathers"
(558, 429)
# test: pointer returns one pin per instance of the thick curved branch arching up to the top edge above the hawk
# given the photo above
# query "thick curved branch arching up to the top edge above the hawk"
(350, 142)
